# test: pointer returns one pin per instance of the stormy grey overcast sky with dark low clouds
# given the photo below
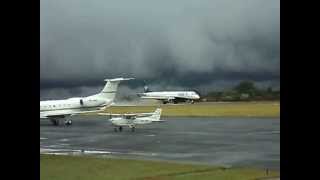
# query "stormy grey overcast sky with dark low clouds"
(172, 44)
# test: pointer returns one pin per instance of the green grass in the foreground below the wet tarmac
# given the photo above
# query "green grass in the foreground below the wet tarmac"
(57, 167)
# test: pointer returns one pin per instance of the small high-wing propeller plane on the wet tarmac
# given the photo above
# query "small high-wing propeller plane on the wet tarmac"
(133, 120)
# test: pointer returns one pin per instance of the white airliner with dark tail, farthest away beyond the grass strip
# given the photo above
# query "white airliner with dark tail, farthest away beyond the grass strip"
(170, 96)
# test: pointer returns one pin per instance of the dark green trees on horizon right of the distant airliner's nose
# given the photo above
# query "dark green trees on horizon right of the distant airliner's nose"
(244, 91)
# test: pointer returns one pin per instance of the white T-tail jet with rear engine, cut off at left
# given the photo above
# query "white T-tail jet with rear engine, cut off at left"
(57, 110)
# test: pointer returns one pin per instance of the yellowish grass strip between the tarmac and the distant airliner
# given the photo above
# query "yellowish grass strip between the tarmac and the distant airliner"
(232, 109)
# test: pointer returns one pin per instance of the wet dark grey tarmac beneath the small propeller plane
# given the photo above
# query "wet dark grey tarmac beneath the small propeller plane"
(253, 142)
